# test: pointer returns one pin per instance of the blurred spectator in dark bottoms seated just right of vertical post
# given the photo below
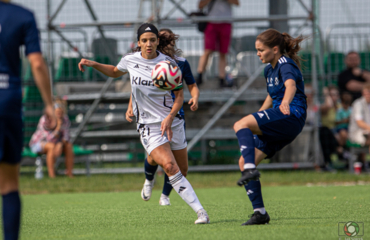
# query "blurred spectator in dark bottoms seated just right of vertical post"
(328, 111)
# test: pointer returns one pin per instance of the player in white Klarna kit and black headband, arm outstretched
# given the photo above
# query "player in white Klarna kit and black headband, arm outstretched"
(161, 130)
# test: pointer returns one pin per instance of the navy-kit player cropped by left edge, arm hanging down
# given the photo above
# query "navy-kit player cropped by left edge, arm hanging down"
(17, 28)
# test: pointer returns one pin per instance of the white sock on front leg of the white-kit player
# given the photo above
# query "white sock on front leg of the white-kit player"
(185, 190)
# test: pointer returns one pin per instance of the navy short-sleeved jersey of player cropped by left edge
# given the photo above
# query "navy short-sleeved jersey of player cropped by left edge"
(17, 27)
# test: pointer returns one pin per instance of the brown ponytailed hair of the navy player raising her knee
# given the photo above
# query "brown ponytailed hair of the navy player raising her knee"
(286, 43)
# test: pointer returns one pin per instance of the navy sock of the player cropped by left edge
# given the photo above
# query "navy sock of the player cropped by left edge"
(11, 215)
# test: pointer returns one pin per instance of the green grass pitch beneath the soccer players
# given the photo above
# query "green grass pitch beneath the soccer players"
(297, 212)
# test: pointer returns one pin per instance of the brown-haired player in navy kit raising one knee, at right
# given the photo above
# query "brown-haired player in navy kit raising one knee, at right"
(280, 119)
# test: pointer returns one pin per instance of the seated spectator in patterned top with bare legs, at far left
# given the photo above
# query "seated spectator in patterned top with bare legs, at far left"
(54, 142)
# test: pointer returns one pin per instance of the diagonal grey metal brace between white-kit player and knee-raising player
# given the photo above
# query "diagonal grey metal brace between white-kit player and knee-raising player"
(225, 107)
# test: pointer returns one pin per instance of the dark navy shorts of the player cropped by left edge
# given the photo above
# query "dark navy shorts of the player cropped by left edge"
(11, 140)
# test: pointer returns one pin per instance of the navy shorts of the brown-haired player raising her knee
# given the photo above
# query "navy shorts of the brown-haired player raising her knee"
(278, 130)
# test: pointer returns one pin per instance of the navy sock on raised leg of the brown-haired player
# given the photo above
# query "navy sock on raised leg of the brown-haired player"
(246, 144)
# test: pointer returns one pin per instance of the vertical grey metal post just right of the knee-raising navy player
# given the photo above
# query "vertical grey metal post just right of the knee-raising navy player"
(315, 86)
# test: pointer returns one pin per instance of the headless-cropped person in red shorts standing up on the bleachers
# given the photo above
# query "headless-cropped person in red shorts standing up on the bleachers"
(217, 36)
